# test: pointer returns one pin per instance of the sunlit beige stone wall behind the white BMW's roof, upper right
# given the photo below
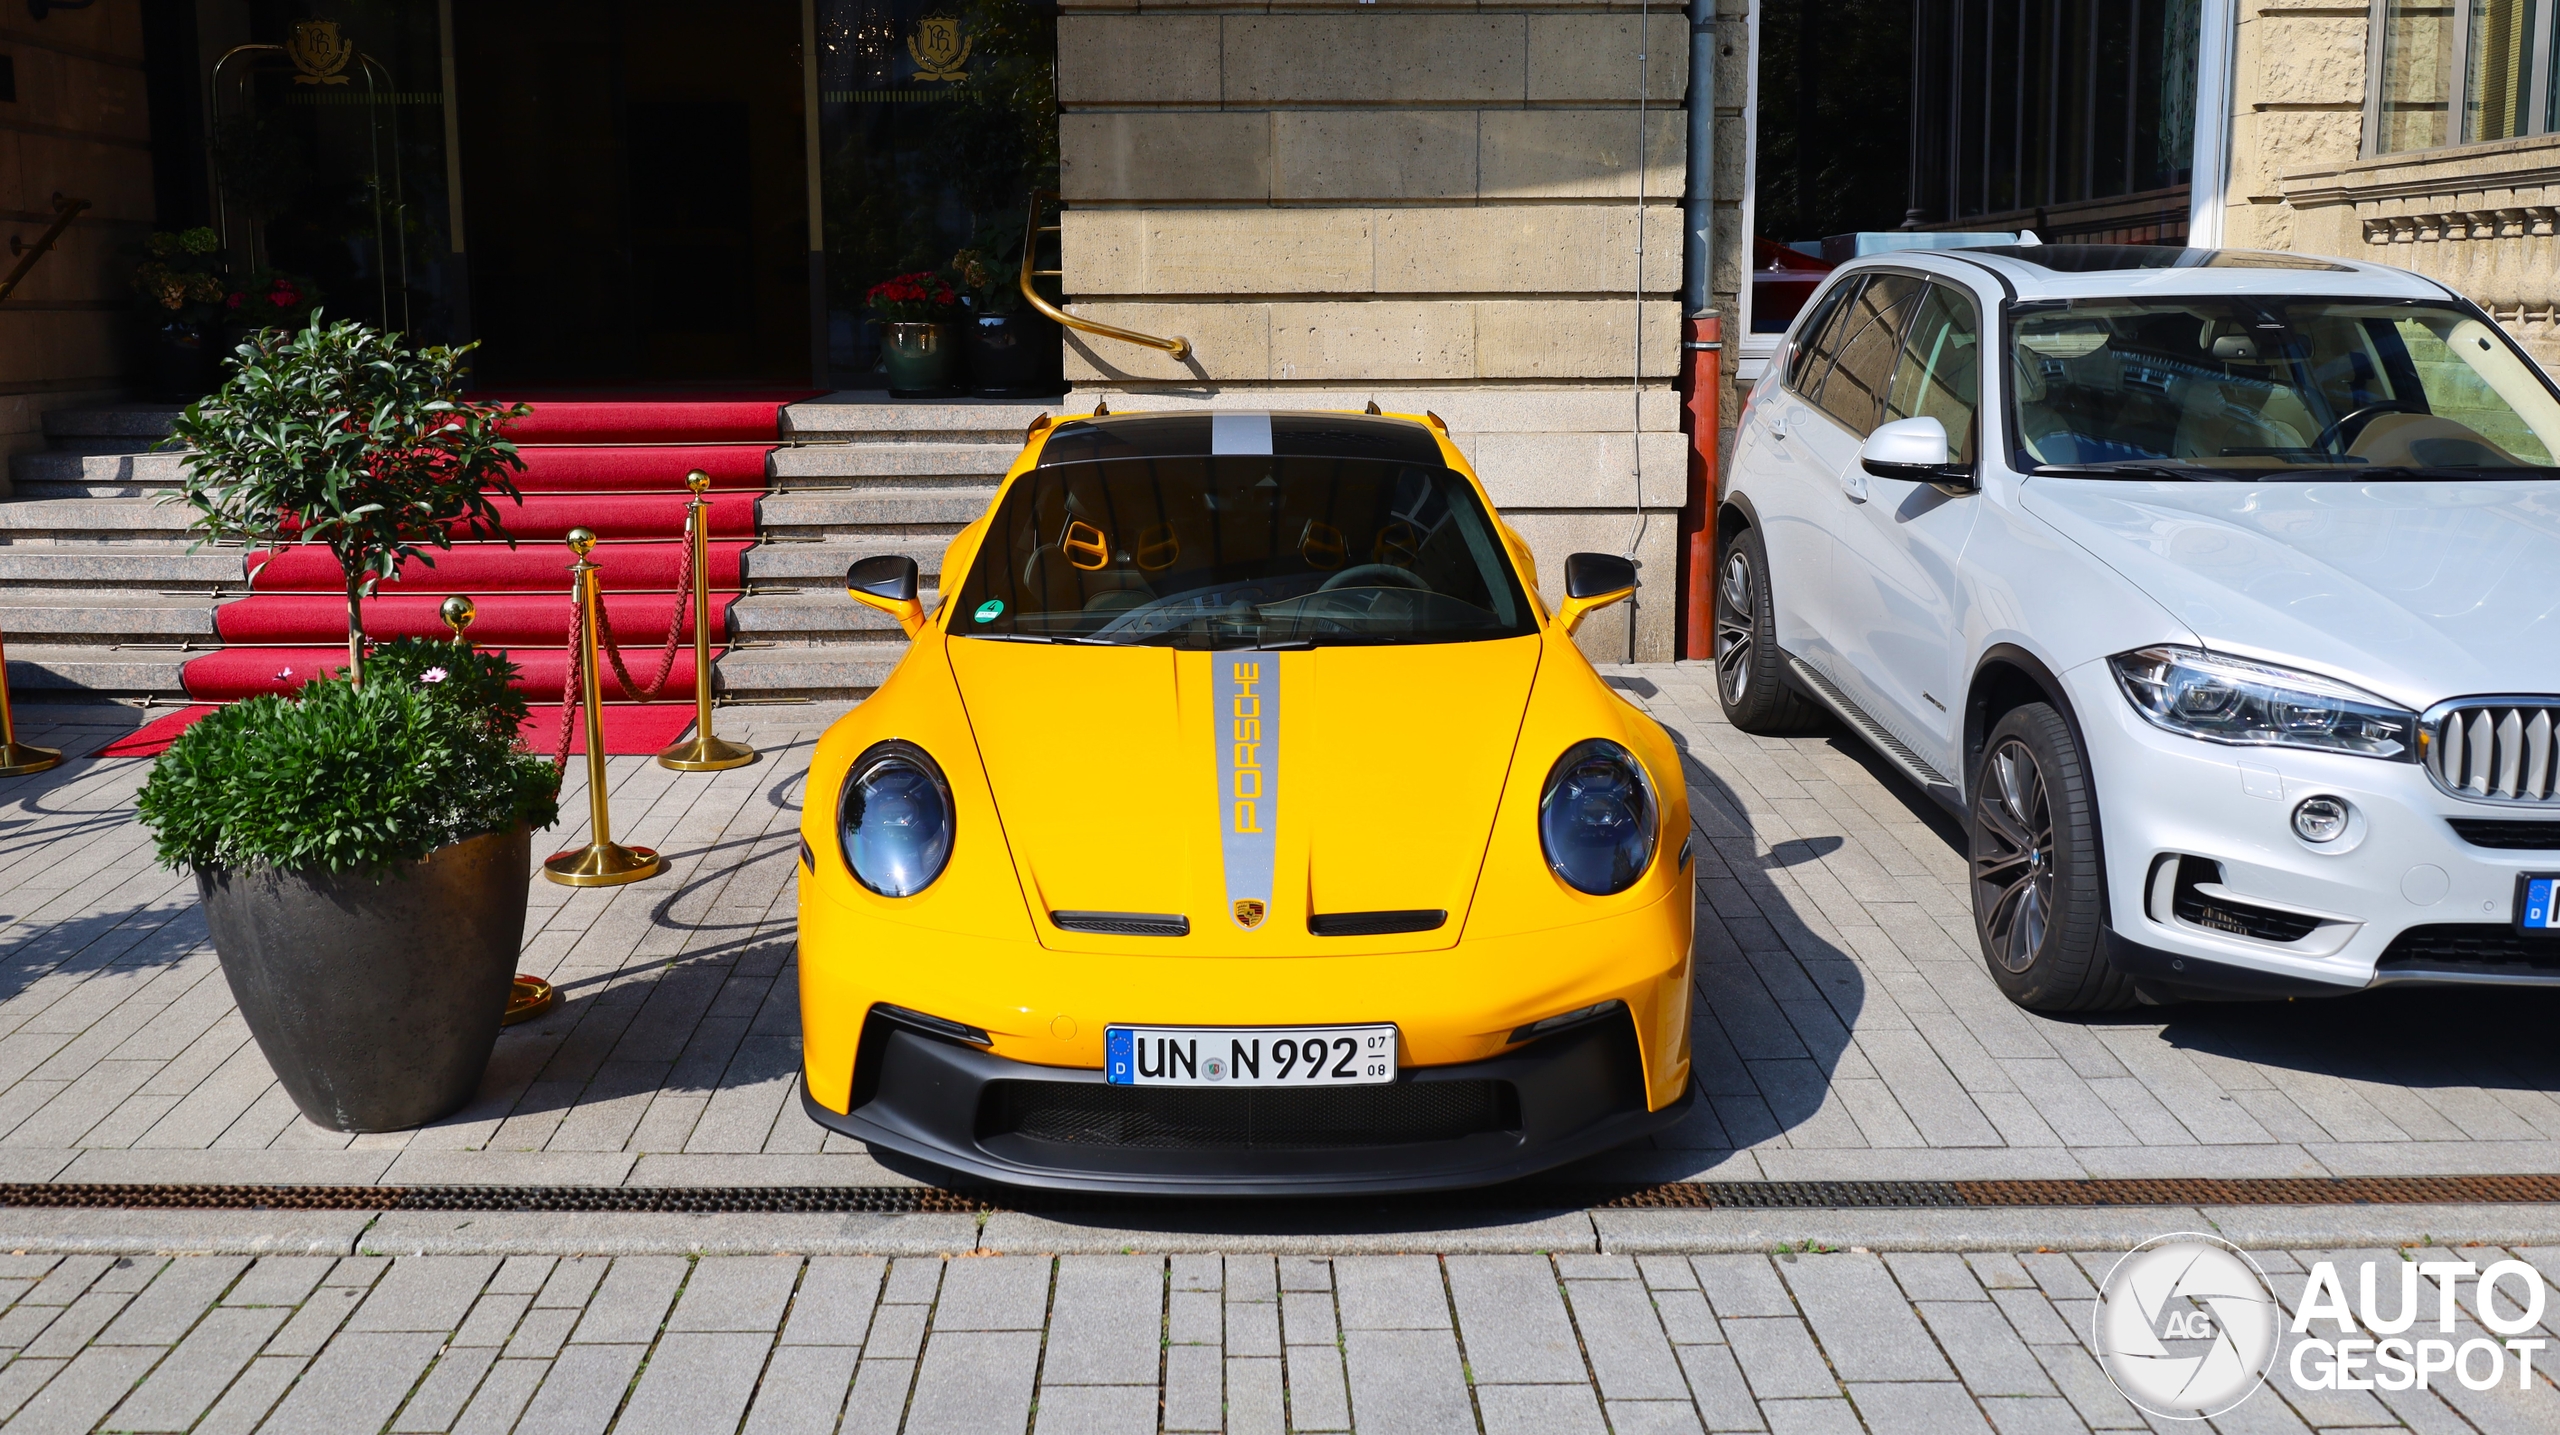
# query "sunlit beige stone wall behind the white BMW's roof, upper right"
(2479, 219)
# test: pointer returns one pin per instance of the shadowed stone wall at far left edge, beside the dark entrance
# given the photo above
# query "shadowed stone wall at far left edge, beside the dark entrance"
(78, 129)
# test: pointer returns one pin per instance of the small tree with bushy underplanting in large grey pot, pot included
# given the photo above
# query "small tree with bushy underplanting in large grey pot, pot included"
(365, 843)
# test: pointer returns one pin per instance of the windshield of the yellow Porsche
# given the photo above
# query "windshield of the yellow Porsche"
(1243, 551)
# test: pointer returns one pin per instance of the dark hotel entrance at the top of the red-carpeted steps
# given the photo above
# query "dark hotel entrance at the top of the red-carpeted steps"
(626, 193)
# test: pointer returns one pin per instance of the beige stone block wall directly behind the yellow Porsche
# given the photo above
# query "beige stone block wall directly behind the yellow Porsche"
(1427, 206)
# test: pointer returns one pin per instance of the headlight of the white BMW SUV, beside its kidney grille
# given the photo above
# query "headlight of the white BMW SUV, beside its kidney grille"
(2257, 705)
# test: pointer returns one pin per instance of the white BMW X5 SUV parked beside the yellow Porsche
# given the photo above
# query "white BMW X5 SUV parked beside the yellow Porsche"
(2216, 592)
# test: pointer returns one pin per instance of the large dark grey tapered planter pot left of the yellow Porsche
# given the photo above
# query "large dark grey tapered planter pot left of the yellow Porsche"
(375, 1001)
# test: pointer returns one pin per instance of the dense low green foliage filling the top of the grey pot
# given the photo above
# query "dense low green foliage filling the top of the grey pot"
(344, 779)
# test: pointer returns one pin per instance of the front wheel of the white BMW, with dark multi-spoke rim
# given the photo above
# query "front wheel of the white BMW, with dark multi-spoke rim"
(2034, 868)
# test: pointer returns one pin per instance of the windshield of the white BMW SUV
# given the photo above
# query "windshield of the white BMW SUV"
(2275, 390)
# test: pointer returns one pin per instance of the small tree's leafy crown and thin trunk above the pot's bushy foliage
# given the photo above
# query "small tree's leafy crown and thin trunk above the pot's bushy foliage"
(347, 436)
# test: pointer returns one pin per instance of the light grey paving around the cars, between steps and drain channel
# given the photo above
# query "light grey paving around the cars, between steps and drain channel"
(1847, 1027)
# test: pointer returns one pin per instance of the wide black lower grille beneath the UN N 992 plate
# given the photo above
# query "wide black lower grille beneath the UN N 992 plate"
(1256, 1119)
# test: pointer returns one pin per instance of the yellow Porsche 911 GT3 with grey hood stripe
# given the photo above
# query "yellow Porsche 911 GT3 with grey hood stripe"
(1243, 825)
